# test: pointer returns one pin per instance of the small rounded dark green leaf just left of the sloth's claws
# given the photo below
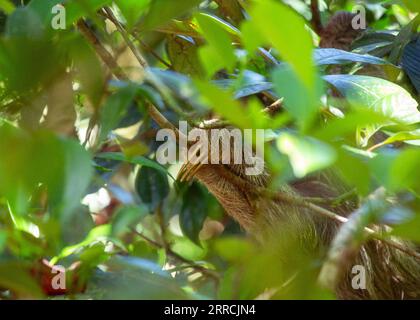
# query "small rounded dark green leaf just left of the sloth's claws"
(152, 186)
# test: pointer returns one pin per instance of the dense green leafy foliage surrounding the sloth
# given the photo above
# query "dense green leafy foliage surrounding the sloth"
(79, 182)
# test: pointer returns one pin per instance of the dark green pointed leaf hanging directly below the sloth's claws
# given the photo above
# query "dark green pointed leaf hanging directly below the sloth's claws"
(193, 212)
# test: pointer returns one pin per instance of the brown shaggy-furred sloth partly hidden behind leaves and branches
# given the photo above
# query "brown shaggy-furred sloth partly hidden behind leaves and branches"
(391, 273)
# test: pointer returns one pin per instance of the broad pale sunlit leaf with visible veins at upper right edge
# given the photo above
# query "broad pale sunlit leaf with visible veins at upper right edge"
(379, 95)
